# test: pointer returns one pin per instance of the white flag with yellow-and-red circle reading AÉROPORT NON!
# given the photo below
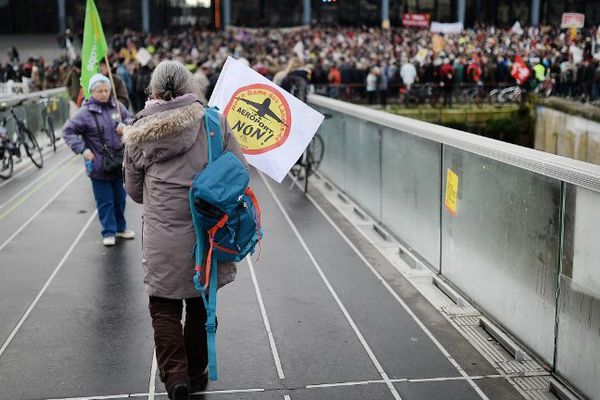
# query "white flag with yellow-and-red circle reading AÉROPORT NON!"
(272, 127)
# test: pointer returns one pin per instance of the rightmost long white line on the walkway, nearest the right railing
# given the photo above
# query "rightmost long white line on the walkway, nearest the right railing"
(445, 352)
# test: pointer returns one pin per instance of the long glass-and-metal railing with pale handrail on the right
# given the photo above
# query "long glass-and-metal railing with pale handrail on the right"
(521, 243)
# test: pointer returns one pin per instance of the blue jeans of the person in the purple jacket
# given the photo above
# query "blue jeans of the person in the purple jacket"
(110, 203)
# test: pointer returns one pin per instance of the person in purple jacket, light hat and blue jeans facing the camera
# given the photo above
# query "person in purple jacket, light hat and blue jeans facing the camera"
(98, 124)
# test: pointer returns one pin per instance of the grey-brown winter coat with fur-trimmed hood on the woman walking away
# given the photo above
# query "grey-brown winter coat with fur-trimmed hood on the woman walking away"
(164, 150)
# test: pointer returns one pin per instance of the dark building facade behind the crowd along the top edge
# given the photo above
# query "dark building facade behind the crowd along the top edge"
(40, 16)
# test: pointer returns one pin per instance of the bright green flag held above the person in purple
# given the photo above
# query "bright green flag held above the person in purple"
(94, 46)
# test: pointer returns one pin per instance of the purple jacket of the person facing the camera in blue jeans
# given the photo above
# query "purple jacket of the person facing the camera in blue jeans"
(80, 132)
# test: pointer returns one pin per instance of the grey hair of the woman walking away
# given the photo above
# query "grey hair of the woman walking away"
(172, 79)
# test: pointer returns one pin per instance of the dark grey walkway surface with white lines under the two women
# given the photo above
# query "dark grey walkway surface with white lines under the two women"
(74, 321)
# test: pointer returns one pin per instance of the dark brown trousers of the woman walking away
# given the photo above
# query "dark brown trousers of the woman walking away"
(181, 351)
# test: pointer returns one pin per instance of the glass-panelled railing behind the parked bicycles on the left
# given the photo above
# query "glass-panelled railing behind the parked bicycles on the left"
(31, 110)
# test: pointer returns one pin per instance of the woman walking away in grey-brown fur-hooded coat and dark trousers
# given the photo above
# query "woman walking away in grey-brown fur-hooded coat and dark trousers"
(164, 150)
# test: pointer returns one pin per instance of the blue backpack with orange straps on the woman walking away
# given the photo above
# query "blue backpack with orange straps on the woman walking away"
(227, 221)
